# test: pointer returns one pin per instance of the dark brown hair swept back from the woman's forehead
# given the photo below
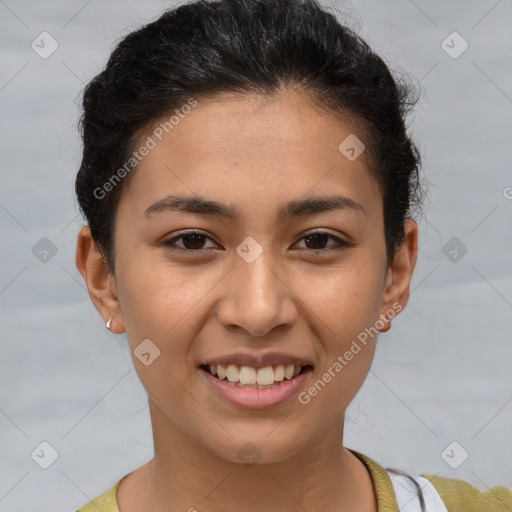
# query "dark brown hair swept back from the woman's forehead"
(243, 46)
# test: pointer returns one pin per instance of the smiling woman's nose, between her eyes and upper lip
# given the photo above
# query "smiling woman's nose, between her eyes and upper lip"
(257, 298)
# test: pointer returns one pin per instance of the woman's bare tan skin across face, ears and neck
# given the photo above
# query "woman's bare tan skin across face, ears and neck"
(255, 153)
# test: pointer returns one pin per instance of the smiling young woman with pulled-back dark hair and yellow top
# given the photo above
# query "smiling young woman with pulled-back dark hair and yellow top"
(248, 185)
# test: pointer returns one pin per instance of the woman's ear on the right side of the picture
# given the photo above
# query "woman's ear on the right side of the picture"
(399, 275)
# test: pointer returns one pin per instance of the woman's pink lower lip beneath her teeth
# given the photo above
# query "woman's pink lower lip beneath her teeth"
(256, 398)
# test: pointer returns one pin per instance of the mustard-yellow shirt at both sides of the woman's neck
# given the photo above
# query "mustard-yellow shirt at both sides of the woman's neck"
(457, 495)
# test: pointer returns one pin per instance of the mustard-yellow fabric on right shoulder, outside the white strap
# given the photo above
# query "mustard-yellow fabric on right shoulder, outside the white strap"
(461, 496)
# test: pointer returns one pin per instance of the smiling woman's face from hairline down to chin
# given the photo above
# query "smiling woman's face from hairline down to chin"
(253, 284)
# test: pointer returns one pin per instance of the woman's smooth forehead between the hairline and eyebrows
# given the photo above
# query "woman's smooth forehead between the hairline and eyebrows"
(251, 151)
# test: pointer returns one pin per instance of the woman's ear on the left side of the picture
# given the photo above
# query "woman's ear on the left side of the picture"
(100, 282)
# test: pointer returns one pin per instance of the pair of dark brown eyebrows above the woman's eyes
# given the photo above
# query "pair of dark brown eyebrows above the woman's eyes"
(302, 207)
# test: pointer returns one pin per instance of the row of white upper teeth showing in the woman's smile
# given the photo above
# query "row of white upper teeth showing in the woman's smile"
(259, 376)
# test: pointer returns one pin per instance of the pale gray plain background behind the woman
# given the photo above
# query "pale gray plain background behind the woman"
(443, 372)
